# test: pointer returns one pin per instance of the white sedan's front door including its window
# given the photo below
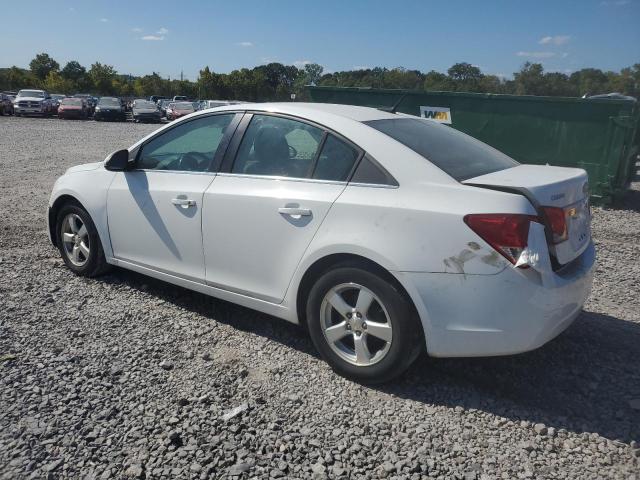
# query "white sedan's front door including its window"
(155, 210)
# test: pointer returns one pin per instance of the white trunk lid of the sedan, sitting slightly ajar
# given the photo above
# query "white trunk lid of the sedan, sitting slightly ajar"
(547, 186)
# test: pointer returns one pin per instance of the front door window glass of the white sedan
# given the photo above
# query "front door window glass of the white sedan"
(190, 146)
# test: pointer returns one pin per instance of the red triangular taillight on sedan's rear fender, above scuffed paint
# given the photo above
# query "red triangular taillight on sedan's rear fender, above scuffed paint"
(506, 232)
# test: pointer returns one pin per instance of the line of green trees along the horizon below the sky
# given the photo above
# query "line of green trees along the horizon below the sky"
(276, 82)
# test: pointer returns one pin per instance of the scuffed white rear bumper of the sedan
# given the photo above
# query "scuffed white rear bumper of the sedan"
(510, 312)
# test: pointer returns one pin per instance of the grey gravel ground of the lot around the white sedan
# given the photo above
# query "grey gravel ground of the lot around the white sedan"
(126, 377)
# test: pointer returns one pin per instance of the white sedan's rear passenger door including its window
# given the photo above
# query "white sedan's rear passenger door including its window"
(263, 210)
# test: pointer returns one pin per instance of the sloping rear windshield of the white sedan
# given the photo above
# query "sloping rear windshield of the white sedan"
(458, 154)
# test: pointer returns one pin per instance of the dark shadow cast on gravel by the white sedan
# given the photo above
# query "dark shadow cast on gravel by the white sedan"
(583, 381)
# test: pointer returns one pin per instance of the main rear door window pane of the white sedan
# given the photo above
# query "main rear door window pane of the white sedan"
(278, 146)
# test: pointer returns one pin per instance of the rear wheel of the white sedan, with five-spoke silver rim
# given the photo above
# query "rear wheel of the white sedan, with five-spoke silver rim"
(398, 337)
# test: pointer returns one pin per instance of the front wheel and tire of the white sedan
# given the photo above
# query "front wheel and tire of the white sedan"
(83, 254)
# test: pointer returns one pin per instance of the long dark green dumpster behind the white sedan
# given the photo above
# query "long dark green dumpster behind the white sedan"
(599, 135)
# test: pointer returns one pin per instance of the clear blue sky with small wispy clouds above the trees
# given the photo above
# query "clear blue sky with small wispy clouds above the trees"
(142, 36)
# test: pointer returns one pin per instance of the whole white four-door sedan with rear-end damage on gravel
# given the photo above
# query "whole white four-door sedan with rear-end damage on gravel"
(384, 234)
